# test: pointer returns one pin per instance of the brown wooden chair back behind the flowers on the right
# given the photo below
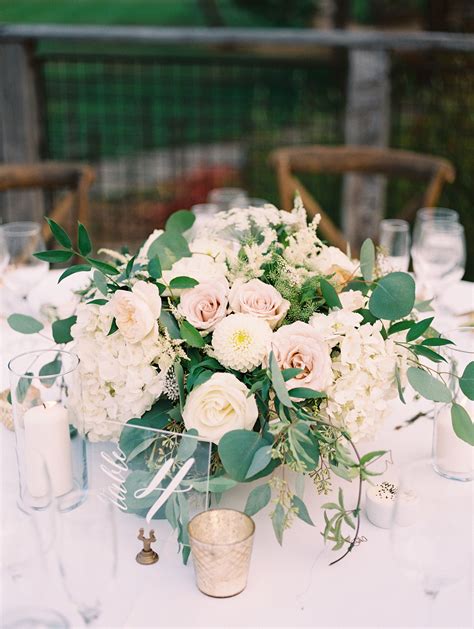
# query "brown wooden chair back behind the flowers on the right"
(436, 171)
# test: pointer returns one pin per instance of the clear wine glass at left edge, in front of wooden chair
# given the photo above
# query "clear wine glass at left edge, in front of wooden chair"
(23, 271)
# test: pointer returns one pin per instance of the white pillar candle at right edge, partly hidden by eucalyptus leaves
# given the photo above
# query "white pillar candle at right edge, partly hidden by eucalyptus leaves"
(451, 454)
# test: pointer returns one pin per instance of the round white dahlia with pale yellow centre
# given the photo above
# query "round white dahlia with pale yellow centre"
(241, 341)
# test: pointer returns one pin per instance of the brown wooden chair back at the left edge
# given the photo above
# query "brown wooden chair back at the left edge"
(76, 179)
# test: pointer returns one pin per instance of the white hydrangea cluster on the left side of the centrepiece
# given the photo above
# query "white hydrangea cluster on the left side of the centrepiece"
(120, 380)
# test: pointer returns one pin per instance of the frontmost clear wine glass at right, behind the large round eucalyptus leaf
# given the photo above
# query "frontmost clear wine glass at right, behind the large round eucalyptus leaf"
(440, 256)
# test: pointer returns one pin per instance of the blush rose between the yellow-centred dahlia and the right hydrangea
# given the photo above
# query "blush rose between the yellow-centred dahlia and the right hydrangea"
(299, 346)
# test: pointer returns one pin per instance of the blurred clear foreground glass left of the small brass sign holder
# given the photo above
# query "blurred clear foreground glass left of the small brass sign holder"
(87, 550)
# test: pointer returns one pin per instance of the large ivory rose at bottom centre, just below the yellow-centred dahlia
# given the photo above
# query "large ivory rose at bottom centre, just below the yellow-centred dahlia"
(219, 405)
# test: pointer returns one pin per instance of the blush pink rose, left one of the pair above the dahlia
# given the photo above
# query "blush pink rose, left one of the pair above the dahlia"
(205, 304)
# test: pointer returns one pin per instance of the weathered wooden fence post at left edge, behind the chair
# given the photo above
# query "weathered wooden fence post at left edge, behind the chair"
(19, 127)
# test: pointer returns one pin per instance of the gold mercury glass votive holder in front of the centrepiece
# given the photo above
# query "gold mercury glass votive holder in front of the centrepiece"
(221, 544)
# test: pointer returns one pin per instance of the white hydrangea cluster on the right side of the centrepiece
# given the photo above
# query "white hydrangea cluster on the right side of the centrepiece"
(364, 381)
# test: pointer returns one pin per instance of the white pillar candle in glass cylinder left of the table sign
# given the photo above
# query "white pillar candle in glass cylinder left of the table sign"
(47, 440)
